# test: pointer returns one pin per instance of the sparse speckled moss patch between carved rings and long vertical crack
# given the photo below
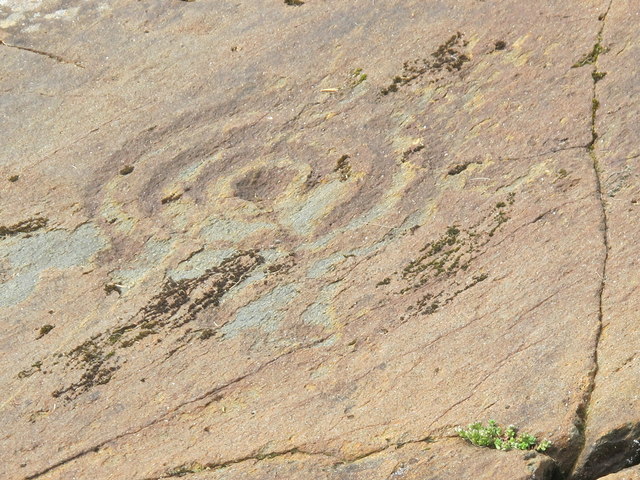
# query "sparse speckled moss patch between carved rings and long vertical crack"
(444, 264)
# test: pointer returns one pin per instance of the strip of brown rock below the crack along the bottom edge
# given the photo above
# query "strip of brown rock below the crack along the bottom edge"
(417, 461)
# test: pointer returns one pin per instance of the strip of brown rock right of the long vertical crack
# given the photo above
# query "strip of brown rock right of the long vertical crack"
(613, 427)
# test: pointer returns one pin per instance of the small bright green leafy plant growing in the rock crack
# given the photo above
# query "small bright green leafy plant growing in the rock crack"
(494, 436)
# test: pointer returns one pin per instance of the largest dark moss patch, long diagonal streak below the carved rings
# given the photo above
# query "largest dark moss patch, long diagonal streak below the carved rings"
(177, 303)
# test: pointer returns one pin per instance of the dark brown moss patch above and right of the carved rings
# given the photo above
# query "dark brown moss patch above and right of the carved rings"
(447, 57)
